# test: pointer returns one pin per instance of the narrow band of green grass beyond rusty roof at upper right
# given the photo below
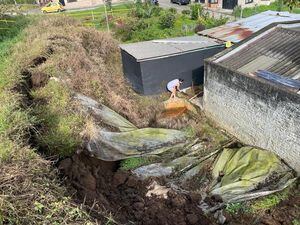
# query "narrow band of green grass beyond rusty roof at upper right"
(274, 6)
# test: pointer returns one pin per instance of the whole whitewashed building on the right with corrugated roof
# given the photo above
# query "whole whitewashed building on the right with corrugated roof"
(253, 91)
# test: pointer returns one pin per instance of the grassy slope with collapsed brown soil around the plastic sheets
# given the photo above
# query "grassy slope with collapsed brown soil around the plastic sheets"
(47, 68)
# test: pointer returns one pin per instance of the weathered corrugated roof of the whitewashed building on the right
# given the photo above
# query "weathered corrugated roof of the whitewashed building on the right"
(277, 51)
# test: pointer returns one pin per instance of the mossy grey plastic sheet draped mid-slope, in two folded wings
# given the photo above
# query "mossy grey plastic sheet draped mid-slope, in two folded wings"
(131, 141)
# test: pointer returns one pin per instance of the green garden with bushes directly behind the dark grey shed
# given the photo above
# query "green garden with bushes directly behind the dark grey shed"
(145, 21)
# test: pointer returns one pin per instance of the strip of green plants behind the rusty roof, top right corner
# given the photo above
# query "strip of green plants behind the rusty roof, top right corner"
(274, 6)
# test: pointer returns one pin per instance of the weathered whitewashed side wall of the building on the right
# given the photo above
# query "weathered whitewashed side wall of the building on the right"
(255, 111)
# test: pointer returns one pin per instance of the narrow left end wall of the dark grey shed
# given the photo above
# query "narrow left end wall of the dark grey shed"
(132, 71)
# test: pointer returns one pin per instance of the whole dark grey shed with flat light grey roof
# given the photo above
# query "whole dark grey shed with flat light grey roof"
(150, 65)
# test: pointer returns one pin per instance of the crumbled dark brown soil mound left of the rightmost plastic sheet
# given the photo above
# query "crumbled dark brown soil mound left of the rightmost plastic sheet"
(124, 195)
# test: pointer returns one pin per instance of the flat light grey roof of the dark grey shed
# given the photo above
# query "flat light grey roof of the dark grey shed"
(166, 47)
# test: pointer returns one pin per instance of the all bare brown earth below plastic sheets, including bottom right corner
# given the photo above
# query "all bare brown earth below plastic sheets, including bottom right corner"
(104, 188)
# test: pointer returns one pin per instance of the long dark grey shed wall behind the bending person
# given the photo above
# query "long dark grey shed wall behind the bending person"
(156, 73)
